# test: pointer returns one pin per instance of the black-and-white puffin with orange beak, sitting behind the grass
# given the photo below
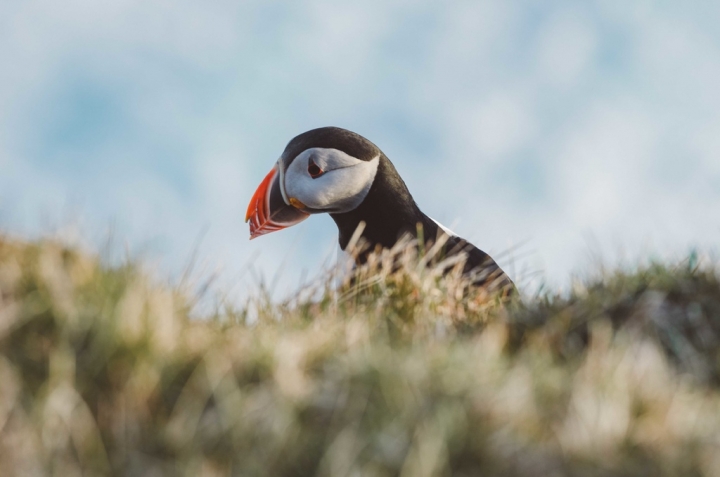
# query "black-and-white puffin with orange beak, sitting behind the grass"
(334, 171)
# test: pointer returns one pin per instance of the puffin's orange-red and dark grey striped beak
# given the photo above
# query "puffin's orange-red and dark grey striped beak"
(267, 211)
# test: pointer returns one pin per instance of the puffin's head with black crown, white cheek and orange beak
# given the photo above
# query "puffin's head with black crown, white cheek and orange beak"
(323, 170)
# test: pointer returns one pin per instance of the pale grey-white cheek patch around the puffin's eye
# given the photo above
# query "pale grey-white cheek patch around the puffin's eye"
(344, 185)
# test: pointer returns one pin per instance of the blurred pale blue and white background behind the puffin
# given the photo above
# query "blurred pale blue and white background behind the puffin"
(546, 132)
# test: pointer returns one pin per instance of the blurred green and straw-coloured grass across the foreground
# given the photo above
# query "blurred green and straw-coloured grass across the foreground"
(102, 372)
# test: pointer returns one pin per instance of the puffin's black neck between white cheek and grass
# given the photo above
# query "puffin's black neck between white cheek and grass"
(388, 212)
